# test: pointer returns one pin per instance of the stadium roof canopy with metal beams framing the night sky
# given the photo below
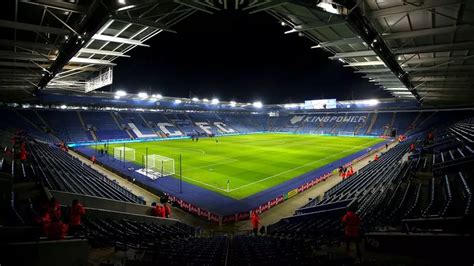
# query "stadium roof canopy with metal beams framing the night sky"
(420, 50)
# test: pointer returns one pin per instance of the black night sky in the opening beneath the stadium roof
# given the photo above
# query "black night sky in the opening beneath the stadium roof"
(232, 55)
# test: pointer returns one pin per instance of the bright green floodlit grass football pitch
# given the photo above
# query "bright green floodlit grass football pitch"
(251, 163)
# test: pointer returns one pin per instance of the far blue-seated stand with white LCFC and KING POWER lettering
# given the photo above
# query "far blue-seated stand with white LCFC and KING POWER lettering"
(80, 125)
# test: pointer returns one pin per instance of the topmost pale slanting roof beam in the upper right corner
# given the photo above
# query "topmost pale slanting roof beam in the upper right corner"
(407, 8)
